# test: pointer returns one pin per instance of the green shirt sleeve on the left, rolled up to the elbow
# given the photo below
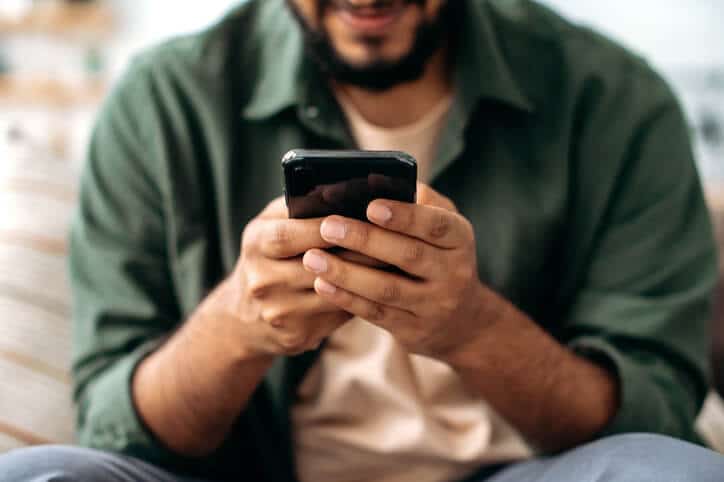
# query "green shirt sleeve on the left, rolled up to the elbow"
(124, 302)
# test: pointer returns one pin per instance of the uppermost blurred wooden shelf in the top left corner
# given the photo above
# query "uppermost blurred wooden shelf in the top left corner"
(92, 20)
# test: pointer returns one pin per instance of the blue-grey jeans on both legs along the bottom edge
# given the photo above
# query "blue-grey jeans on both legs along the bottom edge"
(624, 458)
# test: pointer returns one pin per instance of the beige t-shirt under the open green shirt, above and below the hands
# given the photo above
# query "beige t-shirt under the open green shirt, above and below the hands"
(370, 411)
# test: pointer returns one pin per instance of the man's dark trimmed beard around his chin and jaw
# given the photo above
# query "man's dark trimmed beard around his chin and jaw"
(381, 74)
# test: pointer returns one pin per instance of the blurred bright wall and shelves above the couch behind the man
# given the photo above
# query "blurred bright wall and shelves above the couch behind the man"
(58, 58)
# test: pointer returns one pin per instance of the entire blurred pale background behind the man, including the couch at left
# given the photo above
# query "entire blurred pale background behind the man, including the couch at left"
(58, 59)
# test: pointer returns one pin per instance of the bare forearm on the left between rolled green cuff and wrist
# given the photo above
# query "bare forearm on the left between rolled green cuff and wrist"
(191, 378)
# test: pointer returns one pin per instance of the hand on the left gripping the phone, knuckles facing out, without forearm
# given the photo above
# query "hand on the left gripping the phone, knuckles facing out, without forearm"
(270, 295)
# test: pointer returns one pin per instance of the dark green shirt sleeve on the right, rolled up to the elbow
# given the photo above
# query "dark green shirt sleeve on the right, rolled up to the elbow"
(644, 304)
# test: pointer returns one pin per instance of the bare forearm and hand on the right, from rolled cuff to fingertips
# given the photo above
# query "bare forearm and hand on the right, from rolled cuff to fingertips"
(555, 398)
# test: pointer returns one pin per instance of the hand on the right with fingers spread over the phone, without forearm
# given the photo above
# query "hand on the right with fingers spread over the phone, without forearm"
(430, 308)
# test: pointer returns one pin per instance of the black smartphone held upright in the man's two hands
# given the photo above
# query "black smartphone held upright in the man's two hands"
(320, 183)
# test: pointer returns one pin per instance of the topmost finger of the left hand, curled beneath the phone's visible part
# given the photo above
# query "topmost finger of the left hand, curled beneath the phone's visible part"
(286, 238)
